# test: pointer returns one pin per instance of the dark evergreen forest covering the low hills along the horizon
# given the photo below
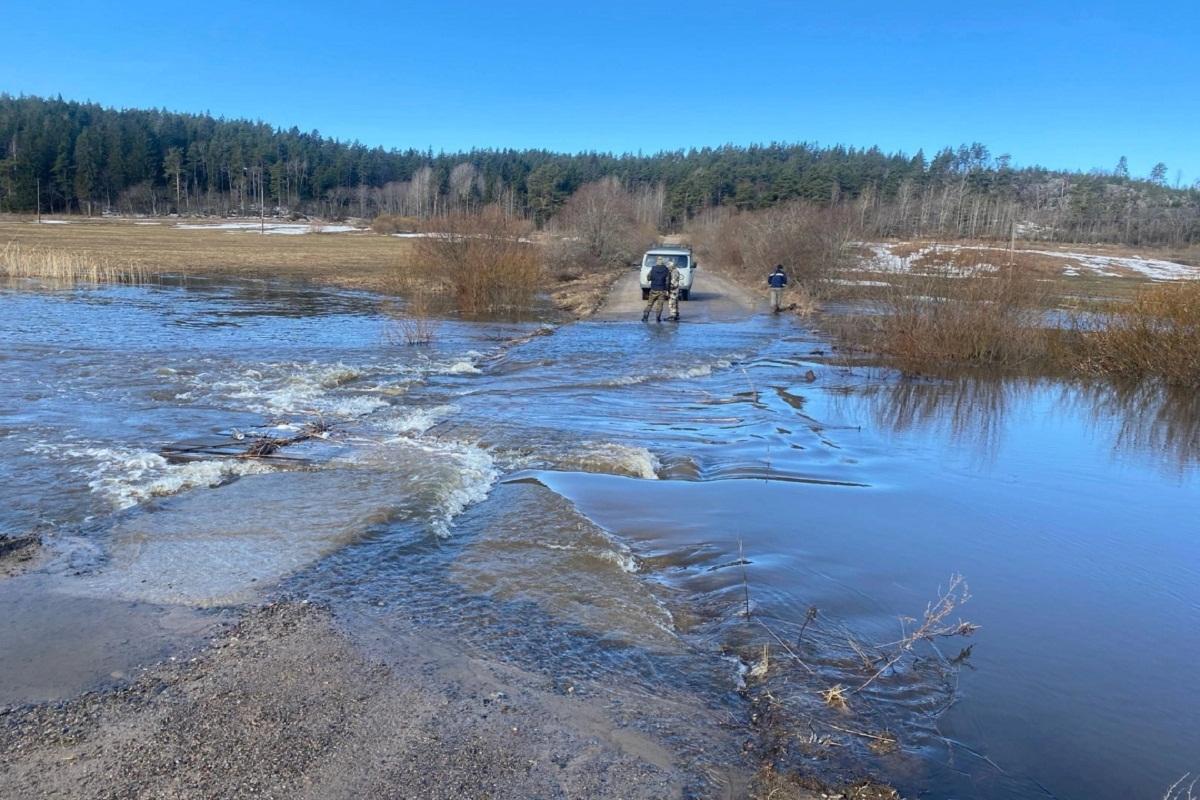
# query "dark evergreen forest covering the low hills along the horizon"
(86, 159)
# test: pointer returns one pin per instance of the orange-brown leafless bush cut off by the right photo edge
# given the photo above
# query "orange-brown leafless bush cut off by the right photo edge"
(1155, 335)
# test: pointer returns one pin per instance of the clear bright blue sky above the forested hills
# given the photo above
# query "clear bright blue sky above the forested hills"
(1060, 83)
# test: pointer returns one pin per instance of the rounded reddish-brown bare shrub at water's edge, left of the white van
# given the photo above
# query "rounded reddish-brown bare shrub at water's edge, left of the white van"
(483, 262)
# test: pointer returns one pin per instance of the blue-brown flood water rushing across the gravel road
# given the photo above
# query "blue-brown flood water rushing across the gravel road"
(599, 502)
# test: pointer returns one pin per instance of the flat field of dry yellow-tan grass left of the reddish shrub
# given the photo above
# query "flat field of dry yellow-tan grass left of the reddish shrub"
(350, 260)
